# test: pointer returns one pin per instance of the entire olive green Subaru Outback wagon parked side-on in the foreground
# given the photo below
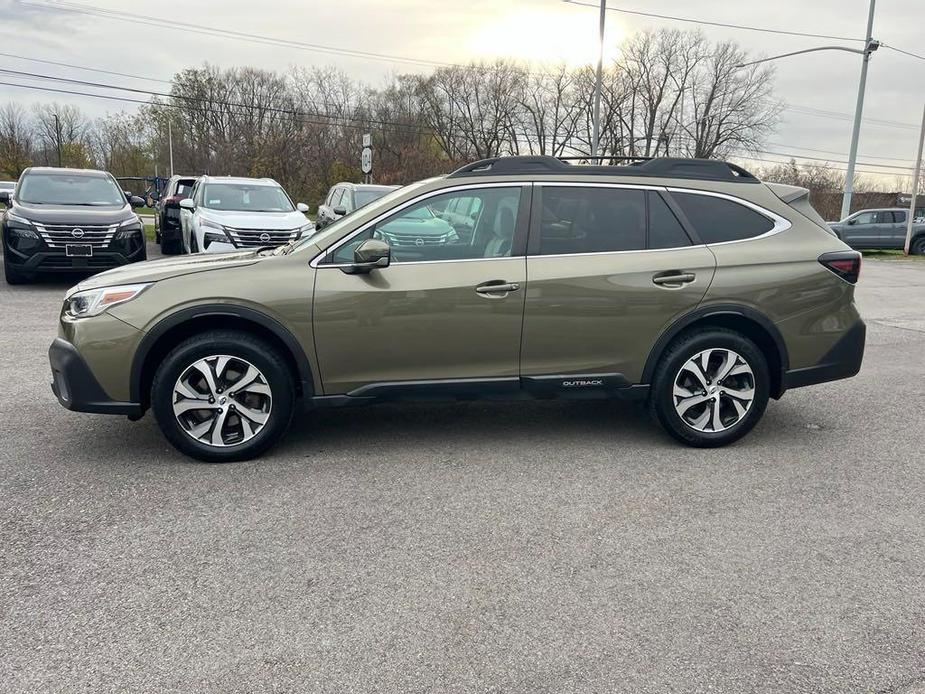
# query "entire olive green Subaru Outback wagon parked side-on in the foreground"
(688, 284)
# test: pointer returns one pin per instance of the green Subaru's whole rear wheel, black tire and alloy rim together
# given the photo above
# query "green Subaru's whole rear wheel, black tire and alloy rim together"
(710, 388)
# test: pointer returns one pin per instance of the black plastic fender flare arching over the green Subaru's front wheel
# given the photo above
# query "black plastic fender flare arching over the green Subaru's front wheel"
(218, 310)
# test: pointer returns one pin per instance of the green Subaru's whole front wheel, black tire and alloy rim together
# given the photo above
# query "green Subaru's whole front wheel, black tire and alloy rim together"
(223, 396)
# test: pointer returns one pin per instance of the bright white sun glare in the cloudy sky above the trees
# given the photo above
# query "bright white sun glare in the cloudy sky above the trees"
(547, 36)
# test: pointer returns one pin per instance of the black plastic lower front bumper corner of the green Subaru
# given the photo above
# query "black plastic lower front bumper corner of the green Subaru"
(75, 386)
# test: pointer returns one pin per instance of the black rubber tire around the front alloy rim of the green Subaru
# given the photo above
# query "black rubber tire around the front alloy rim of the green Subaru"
(240, 345)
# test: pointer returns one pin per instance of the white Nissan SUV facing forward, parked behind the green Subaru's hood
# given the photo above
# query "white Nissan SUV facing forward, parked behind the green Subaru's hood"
(225, 213)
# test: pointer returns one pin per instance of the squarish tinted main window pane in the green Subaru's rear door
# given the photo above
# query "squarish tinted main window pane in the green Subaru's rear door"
(591, 220)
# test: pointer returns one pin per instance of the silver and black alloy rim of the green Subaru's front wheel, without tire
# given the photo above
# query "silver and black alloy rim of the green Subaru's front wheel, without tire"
(222, 400)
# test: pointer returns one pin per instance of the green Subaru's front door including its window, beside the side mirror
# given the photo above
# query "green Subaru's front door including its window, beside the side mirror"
(447, 311)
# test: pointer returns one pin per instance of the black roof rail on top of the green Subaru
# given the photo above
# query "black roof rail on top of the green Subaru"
(665, 167)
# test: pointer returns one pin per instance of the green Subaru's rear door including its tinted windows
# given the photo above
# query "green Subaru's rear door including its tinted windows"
(609, 268)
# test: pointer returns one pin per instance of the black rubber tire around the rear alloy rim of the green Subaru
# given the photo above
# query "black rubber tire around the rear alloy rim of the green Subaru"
(662, 399)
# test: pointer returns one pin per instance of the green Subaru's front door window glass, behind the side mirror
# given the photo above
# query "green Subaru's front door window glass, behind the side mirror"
(424, 231)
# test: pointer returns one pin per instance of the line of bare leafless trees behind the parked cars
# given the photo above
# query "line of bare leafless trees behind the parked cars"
(669, 93)
